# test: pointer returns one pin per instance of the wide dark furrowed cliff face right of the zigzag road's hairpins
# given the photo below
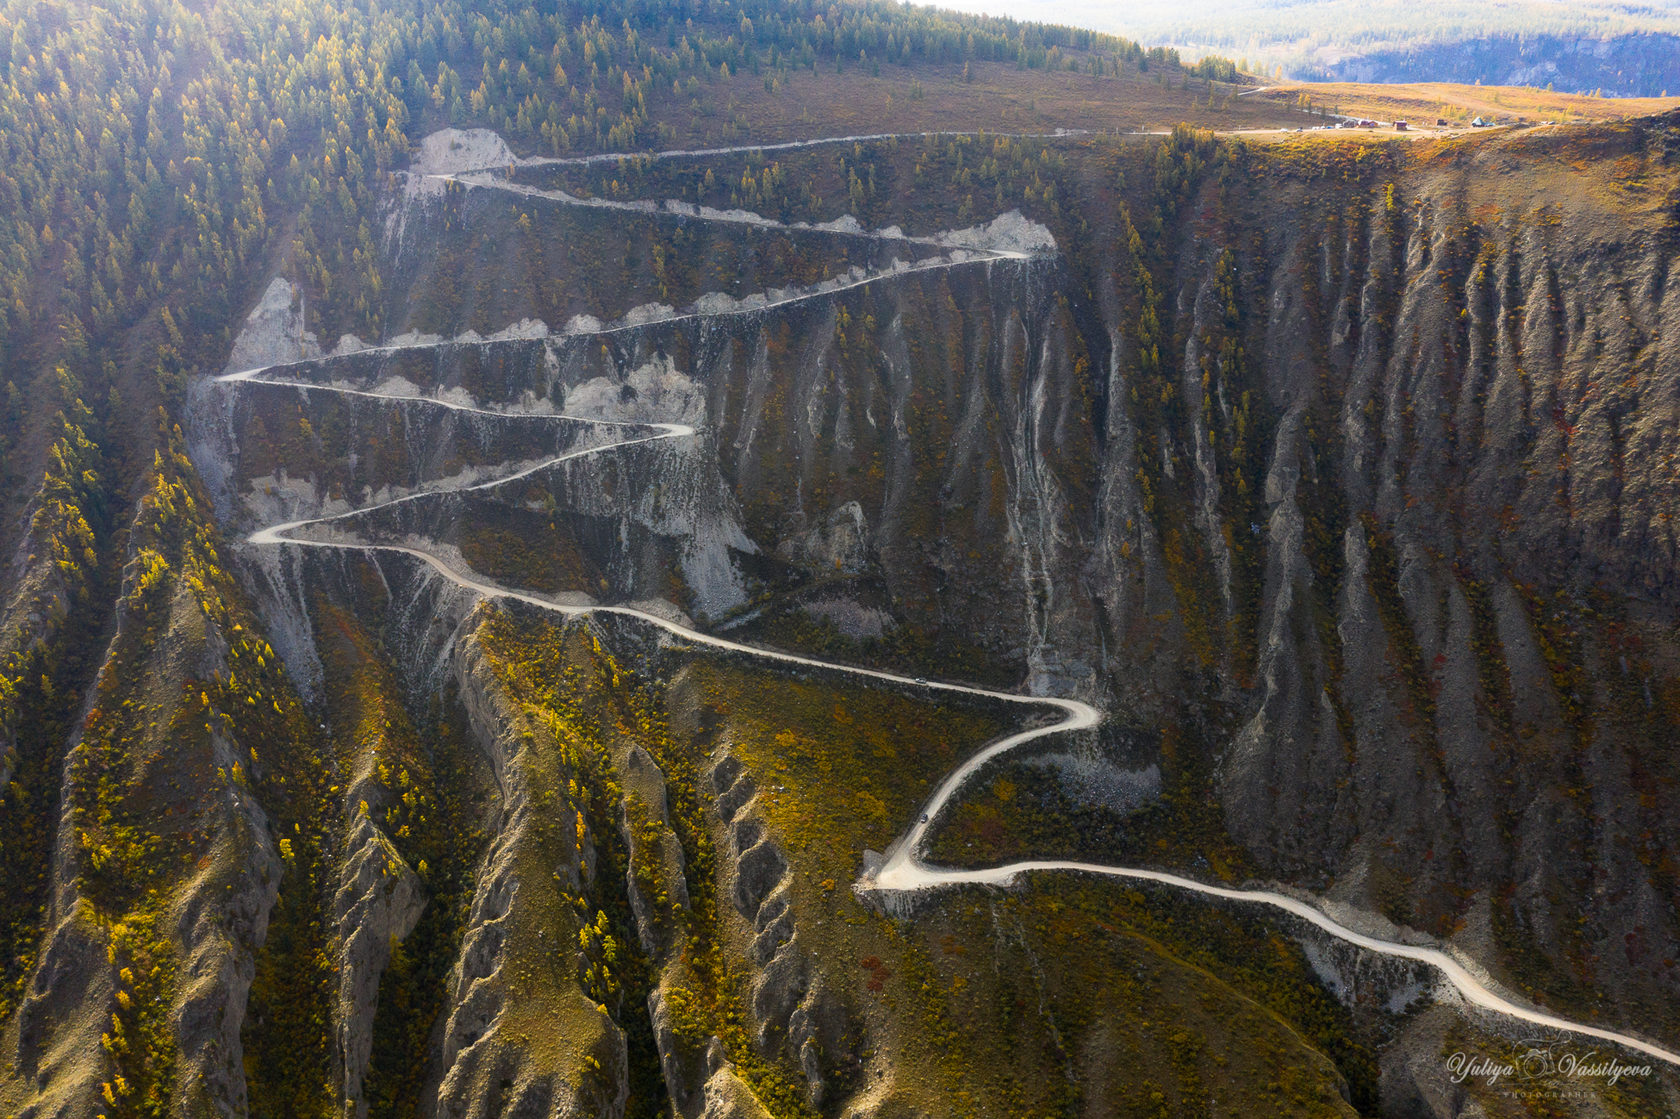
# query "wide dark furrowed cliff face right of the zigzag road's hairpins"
(1355, 466)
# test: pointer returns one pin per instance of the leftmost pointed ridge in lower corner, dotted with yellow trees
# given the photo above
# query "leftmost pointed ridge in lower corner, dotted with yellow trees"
(164, 871)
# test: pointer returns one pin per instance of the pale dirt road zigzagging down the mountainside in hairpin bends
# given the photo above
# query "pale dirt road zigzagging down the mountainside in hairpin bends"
(903, 871)
